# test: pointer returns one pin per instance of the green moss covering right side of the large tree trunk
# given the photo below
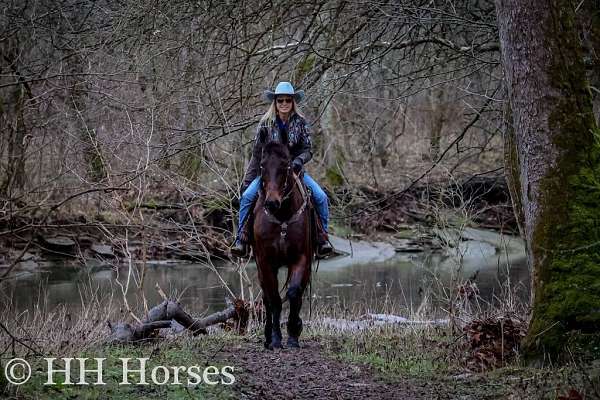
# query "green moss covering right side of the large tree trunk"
(566, 236)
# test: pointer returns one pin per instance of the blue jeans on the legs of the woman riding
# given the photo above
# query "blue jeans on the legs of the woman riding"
(318, 195)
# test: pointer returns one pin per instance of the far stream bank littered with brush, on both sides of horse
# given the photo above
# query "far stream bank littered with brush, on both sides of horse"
(199, 228)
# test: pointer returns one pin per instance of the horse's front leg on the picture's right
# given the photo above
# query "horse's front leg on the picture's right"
(300, 275)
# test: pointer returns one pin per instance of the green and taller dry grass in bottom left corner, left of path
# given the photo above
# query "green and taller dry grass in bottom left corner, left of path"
(43, 332)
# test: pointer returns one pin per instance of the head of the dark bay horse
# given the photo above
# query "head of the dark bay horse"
(276, 173)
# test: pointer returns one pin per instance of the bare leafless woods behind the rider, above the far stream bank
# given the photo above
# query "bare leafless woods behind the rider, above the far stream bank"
(109, 107)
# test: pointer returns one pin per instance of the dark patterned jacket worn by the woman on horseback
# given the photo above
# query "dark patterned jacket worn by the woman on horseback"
(299, 143)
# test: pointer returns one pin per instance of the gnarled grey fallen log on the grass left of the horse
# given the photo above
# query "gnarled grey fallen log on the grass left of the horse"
(162, 315)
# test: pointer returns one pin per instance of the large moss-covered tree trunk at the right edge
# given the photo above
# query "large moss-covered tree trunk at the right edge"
(559, 156)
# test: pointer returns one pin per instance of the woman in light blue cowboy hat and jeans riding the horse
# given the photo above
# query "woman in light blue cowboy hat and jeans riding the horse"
(282, 117)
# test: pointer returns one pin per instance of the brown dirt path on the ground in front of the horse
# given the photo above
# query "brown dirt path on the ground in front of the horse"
(307, 373)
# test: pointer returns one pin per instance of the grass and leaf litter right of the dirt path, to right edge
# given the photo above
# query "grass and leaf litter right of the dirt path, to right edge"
(428, 358)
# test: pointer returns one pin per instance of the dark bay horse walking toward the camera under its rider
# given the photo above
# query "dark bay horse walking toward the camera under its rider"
(282, 238)
